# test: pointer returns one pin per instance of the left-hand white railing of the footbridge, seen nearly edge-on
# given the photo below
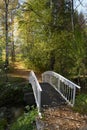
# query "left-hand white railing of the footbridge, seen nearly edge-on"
(36, 90)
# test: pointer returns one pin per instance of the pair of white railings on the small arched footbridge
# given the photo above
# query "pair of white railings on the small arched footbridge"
(64, 87)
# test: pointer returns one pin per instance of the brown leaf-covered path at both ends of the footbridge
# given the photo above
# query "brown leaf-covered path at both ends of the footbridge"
(60, 118)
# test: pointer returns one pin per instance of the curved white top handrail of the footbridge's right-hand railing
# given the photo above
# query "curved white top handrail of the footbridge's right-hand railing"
(63, 79)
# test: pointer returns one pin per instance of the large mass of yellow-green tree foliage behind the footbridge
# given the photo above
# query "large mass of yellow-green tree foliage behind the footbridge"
(49, 43)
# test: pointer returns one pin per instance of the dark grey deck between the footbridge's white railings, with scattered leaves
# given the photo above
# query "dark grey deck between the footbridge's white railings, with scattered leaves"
(50, 97)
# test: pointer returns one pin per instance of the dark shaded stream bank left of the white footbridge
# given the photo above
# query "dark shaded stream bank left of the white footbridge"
(13, 101)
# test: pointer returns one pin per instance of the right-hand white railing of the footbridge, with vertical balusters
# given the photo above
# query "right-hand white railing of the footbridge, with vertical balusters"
(65, 87)
